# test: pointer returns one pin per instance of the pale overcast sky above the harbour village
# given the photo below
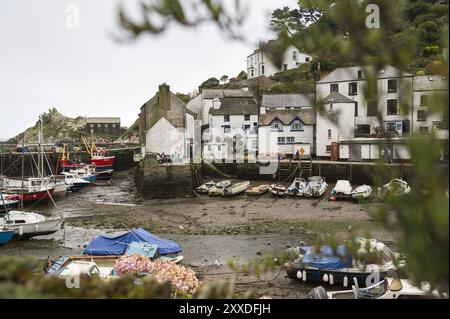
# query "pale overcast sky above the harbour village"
(83, 71)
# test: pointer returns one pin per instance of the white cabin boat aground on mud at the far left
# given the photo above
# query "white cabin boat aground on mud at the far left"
(28, 224)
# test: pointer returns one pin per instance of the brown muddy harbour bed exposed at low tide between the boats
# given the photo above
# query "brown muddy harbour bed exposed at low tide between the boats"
(210, 230)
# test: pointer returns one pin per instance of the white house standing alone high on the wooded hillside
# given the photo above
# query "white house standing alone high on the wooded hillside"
(259, 64)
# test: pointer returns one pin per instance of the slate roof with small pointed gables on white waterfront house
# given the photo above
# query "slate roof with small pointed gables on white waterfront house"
(307, 116)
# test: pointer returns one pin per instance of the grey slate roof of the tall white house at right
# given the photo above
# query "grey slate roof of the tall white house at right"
(351, 74)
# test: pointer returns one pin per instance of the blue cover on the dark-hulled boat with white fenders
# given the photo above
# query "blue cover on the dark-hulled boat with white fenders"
(327, 258)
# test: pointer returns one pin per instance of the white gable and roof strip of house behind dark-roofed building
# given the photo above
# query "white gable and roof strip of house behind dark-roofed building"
(203, 102)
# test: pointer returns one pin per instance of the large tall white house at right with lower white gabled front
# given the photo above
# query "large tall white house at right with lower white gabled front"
(363, 137)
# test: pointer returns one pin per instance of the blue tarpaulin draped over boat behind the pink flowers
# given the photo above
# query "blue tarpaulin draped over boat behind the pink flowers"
(117, 245)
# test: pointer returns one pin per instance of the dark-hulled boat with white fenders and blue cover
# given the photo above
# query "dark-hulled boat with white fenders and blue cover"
(338, 266)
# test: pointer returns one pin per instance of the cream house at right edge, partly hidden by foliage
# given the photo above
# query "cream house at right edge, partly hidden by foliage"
(426, 90)
